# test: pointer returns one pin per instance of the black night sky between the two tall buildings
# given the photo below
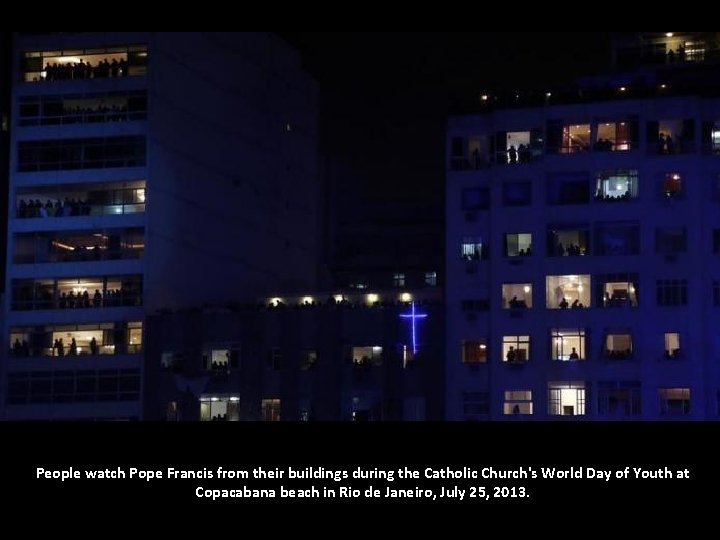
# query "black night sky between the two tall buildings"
(385, 96)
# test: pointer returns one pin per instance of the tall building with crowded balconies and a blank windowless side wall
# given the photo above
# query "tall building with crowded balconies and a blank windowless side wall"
(148, 171)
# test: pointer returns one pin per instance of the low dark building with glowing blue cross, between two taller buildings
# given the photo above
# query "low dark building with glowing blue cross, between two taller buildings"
(358, 357)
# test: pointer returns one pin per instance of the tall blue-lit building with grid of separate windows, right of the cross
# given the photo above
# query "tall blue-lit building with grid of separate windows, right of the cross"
(582, 240)
